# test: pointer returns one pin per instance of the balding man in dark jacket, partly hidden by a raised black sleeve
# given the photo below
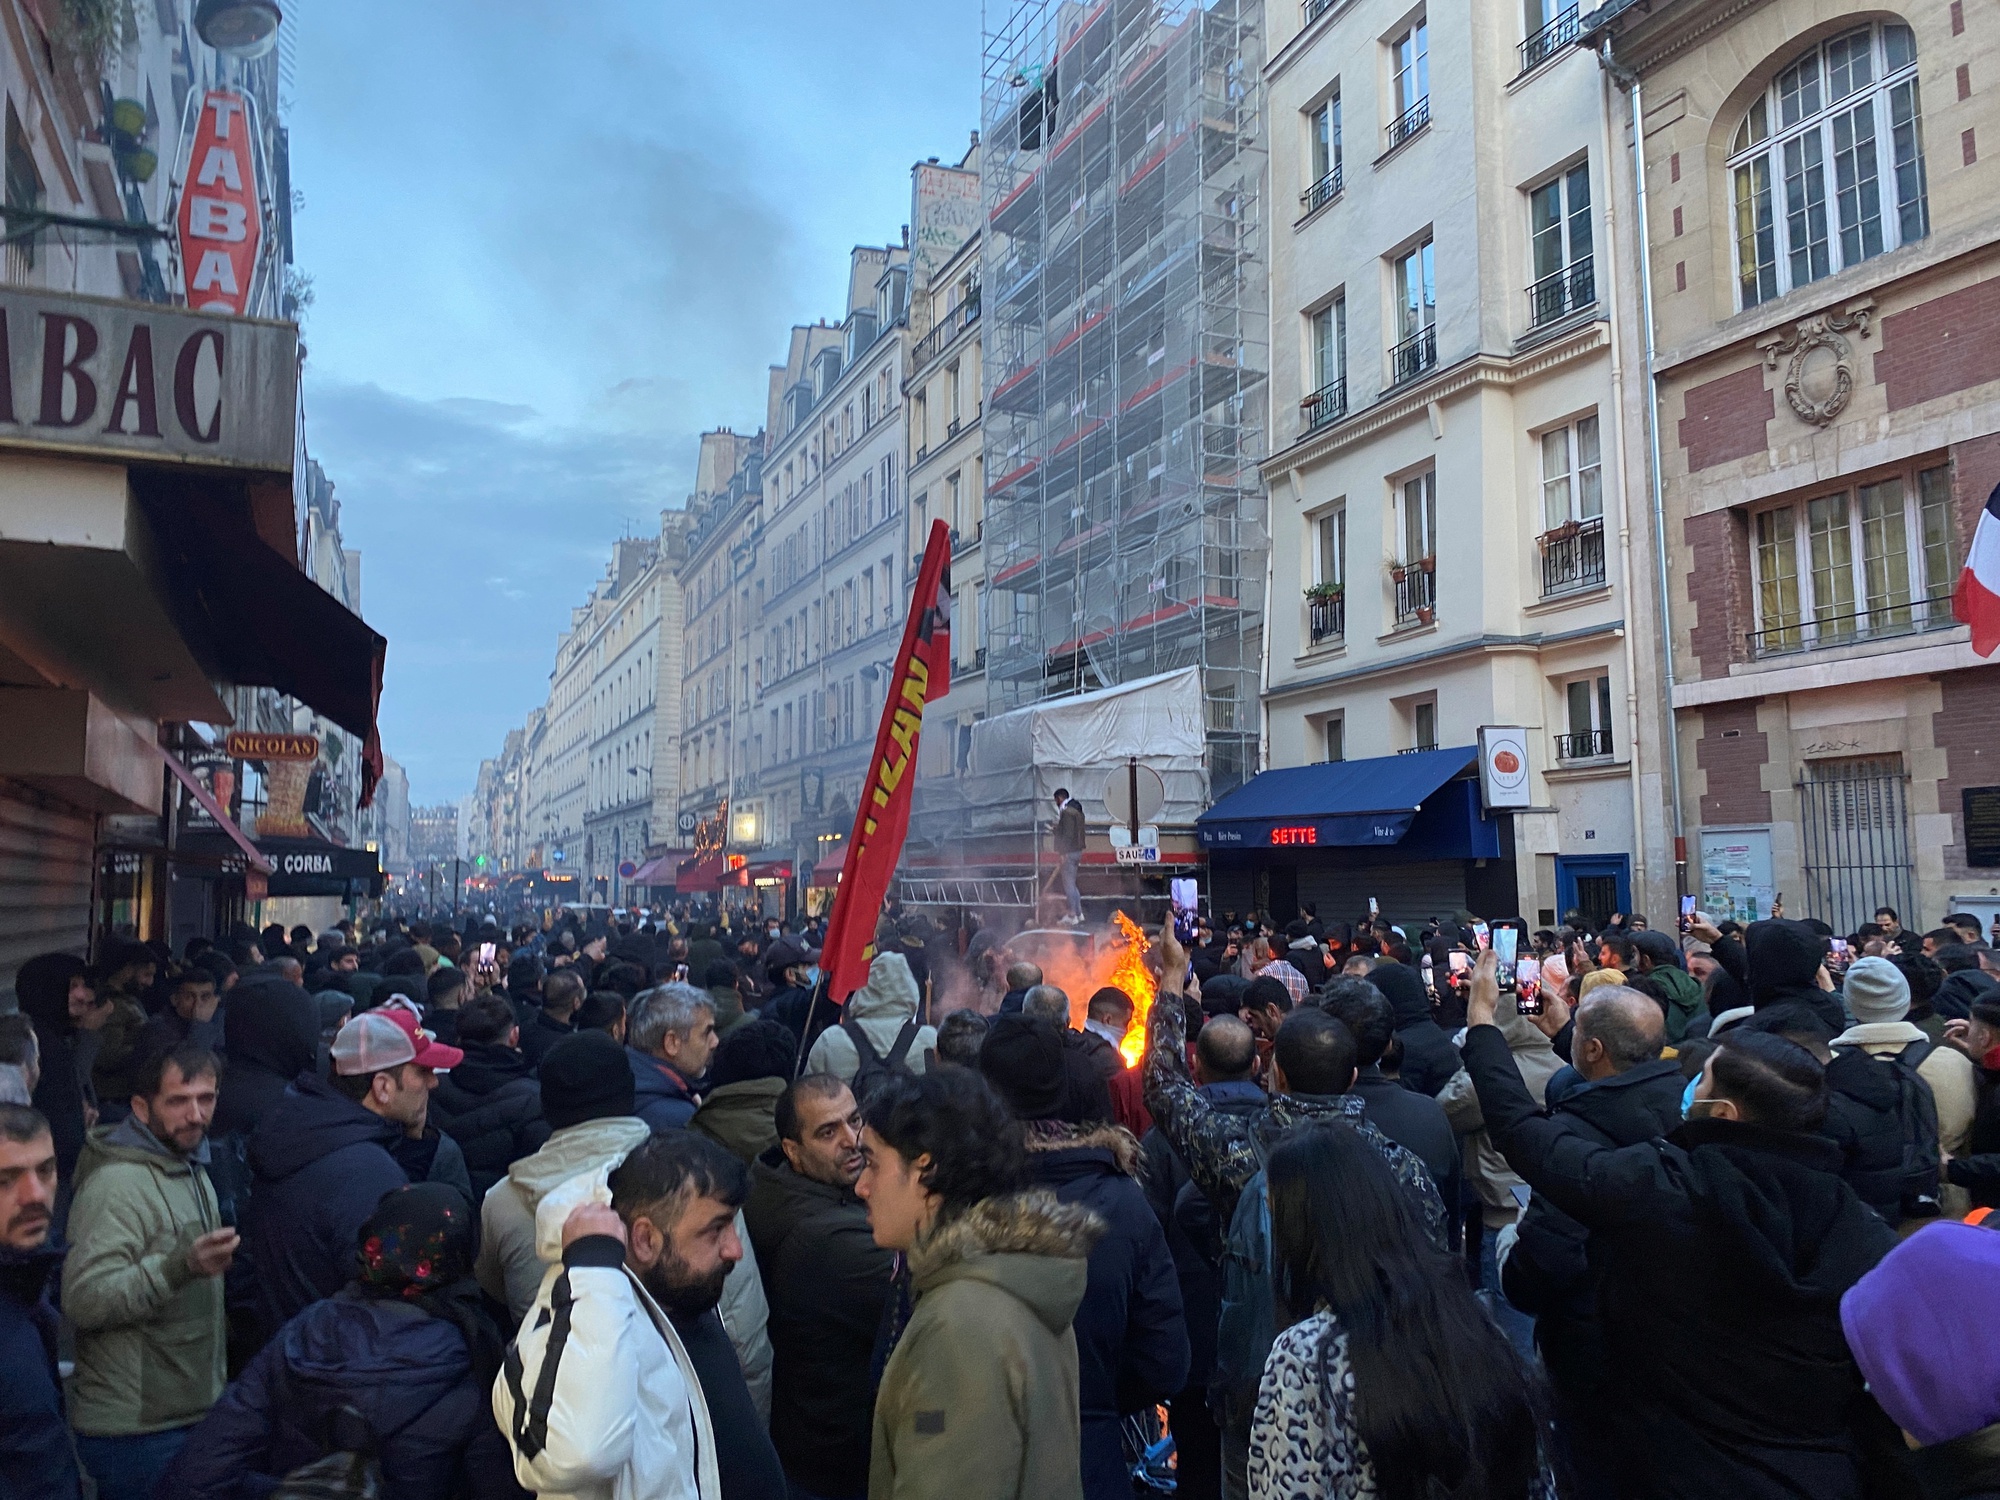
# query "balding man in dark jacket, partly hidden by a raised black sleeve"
(1629, 1095)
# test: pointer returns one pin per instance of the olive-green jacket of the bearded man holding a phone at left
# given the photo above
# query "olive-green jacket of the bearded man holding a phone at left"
(149, 1333)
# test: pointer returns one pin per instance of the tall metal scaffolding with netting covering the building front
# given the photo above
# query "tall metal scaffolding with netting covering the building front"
(1127, 353)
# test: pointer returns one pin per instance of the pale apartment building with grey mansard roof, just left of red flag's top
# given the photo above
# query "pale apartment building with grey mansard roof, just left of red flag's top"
(823, 601)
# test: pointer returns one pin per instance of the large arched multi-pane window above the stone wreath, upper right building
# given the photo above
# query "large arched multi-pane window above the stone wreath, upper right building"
(1827, 167)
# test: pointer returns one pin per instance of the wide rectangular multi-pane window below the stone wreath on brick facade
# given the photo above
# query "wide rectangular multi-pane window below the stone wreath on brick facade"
(1875, 561)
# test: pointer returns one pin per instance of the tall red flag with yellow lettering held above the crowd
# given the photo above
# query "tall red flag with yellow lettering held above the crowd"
(923, 675)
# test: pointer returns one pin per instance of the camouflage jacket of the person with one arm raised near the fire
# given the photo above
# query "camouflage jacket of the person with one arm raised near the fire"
(1217, 1147)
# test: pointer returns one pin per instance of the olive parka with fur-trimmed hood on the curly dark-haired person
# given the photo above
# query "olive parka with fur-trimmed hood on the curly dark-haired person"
(981, 1397)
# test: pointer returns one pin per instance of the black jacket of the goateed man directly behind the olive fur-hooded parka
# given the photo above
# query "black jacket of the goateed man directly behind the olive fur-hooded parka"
(827, 1285)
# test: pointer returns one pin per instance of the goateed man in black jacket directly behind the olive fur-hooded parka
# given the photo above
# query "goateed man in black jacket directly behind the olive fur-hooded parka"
(827, 1283)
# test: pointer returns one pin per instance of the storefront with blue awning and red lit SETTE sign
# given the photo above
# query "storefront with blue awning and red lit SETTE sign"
(1409, 833)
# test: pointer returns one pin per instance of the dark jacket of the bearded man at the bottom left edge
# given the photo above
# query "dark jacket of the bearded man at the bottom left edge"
(37, 1459)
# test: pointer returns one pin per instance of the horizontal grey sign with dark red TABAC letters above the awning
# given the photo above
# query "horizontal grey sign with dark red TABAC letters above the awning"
(135, 381)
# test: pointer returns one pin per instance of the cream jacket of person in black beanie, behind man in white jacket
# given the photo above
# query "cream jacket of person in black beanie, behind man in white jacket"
(515, 1267)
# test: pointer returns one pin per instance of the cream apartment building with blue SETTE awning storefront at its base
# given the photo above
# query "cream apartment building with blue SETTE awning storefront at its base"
(1445, 487)
